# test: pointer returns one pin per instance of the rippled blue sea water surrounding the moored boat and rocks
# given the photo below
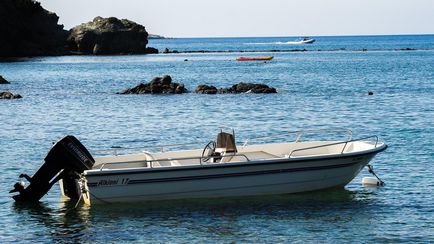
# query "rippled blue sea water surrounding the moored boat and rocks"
(317, 90)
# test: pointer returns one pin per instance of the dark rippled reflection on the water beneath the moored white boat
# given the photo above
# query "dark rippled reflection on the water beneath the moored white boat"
(225, 219)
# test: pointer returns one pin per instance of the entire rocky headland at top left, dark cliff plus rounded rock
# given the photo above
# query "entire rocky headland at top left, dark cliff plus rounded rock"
(27, 29)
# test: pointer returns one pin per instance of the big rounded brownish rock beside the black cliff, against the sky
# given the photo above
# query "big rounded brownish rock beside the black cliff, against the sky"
(108, 36)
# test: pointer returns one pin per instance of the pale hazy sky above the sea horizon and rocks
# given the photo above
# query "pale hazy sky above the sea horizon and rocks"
(218, 18)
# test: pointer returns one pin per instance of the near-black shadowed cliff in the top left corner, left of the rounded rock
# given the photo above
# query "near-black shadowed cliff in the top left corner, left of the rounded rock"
(27, 29)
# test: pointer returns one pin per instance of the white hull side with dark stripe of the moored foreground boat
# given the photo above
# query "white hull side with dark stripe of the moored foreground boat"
(280, 176)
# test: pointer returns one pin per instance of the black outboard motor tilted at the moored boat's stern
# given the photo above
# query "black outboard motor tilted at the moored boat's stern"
(66, 160)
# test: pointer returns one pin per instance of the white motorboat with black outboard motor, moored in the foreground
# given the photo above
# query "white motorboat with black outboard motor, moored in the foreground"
(221, 169)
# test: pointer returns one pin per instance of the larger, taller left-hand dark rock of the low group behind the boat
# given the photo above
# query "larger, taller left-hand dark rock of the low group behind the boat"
(158, 85)
